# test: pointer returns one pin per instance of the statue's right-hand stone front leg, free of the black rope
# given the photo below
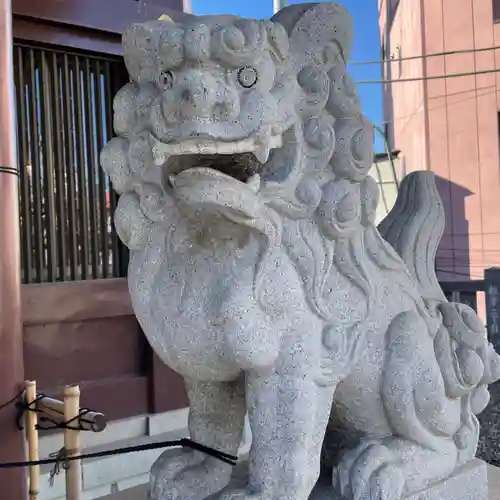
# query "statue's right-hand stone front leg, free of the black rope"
(288, 414)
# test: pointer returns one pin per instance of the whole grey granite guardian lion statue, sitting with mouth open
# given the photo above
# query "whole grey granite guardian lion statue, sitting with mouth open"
(258, 273)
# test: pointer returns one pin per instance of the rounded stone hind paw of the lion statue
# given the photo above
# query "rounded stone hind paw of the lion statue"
(370, 472)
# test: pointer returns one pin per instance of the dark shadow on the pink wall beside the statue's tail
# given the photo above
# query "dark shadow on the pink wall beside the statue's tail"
(453, 257)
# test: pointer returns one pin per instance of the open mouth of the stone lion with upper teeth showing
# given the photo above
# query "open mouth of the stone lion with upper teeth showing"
(242, 160)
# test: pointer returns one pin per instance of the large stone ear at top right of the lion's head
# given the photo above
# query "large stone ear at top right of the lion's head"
(319, 33)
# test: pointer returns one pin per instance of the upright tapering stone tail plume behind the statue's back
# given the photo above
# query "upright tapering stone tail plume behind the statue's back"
(414, 228)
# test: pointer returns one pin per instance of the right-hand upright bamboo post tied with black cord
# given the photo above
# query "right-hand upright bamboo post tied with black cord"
(72, 443)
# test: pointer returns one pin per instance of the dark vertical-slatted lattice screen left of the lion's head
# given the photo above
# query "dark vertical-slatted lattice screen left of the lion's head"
(64, 110)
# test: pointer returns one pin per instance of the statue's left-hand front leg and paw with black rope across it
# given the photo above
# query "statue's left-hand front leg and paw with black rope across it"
(216, 420)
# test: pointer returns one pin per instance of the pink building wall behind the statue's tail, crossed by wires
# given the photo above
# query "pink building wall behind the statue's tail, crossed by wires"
(454, 126)
